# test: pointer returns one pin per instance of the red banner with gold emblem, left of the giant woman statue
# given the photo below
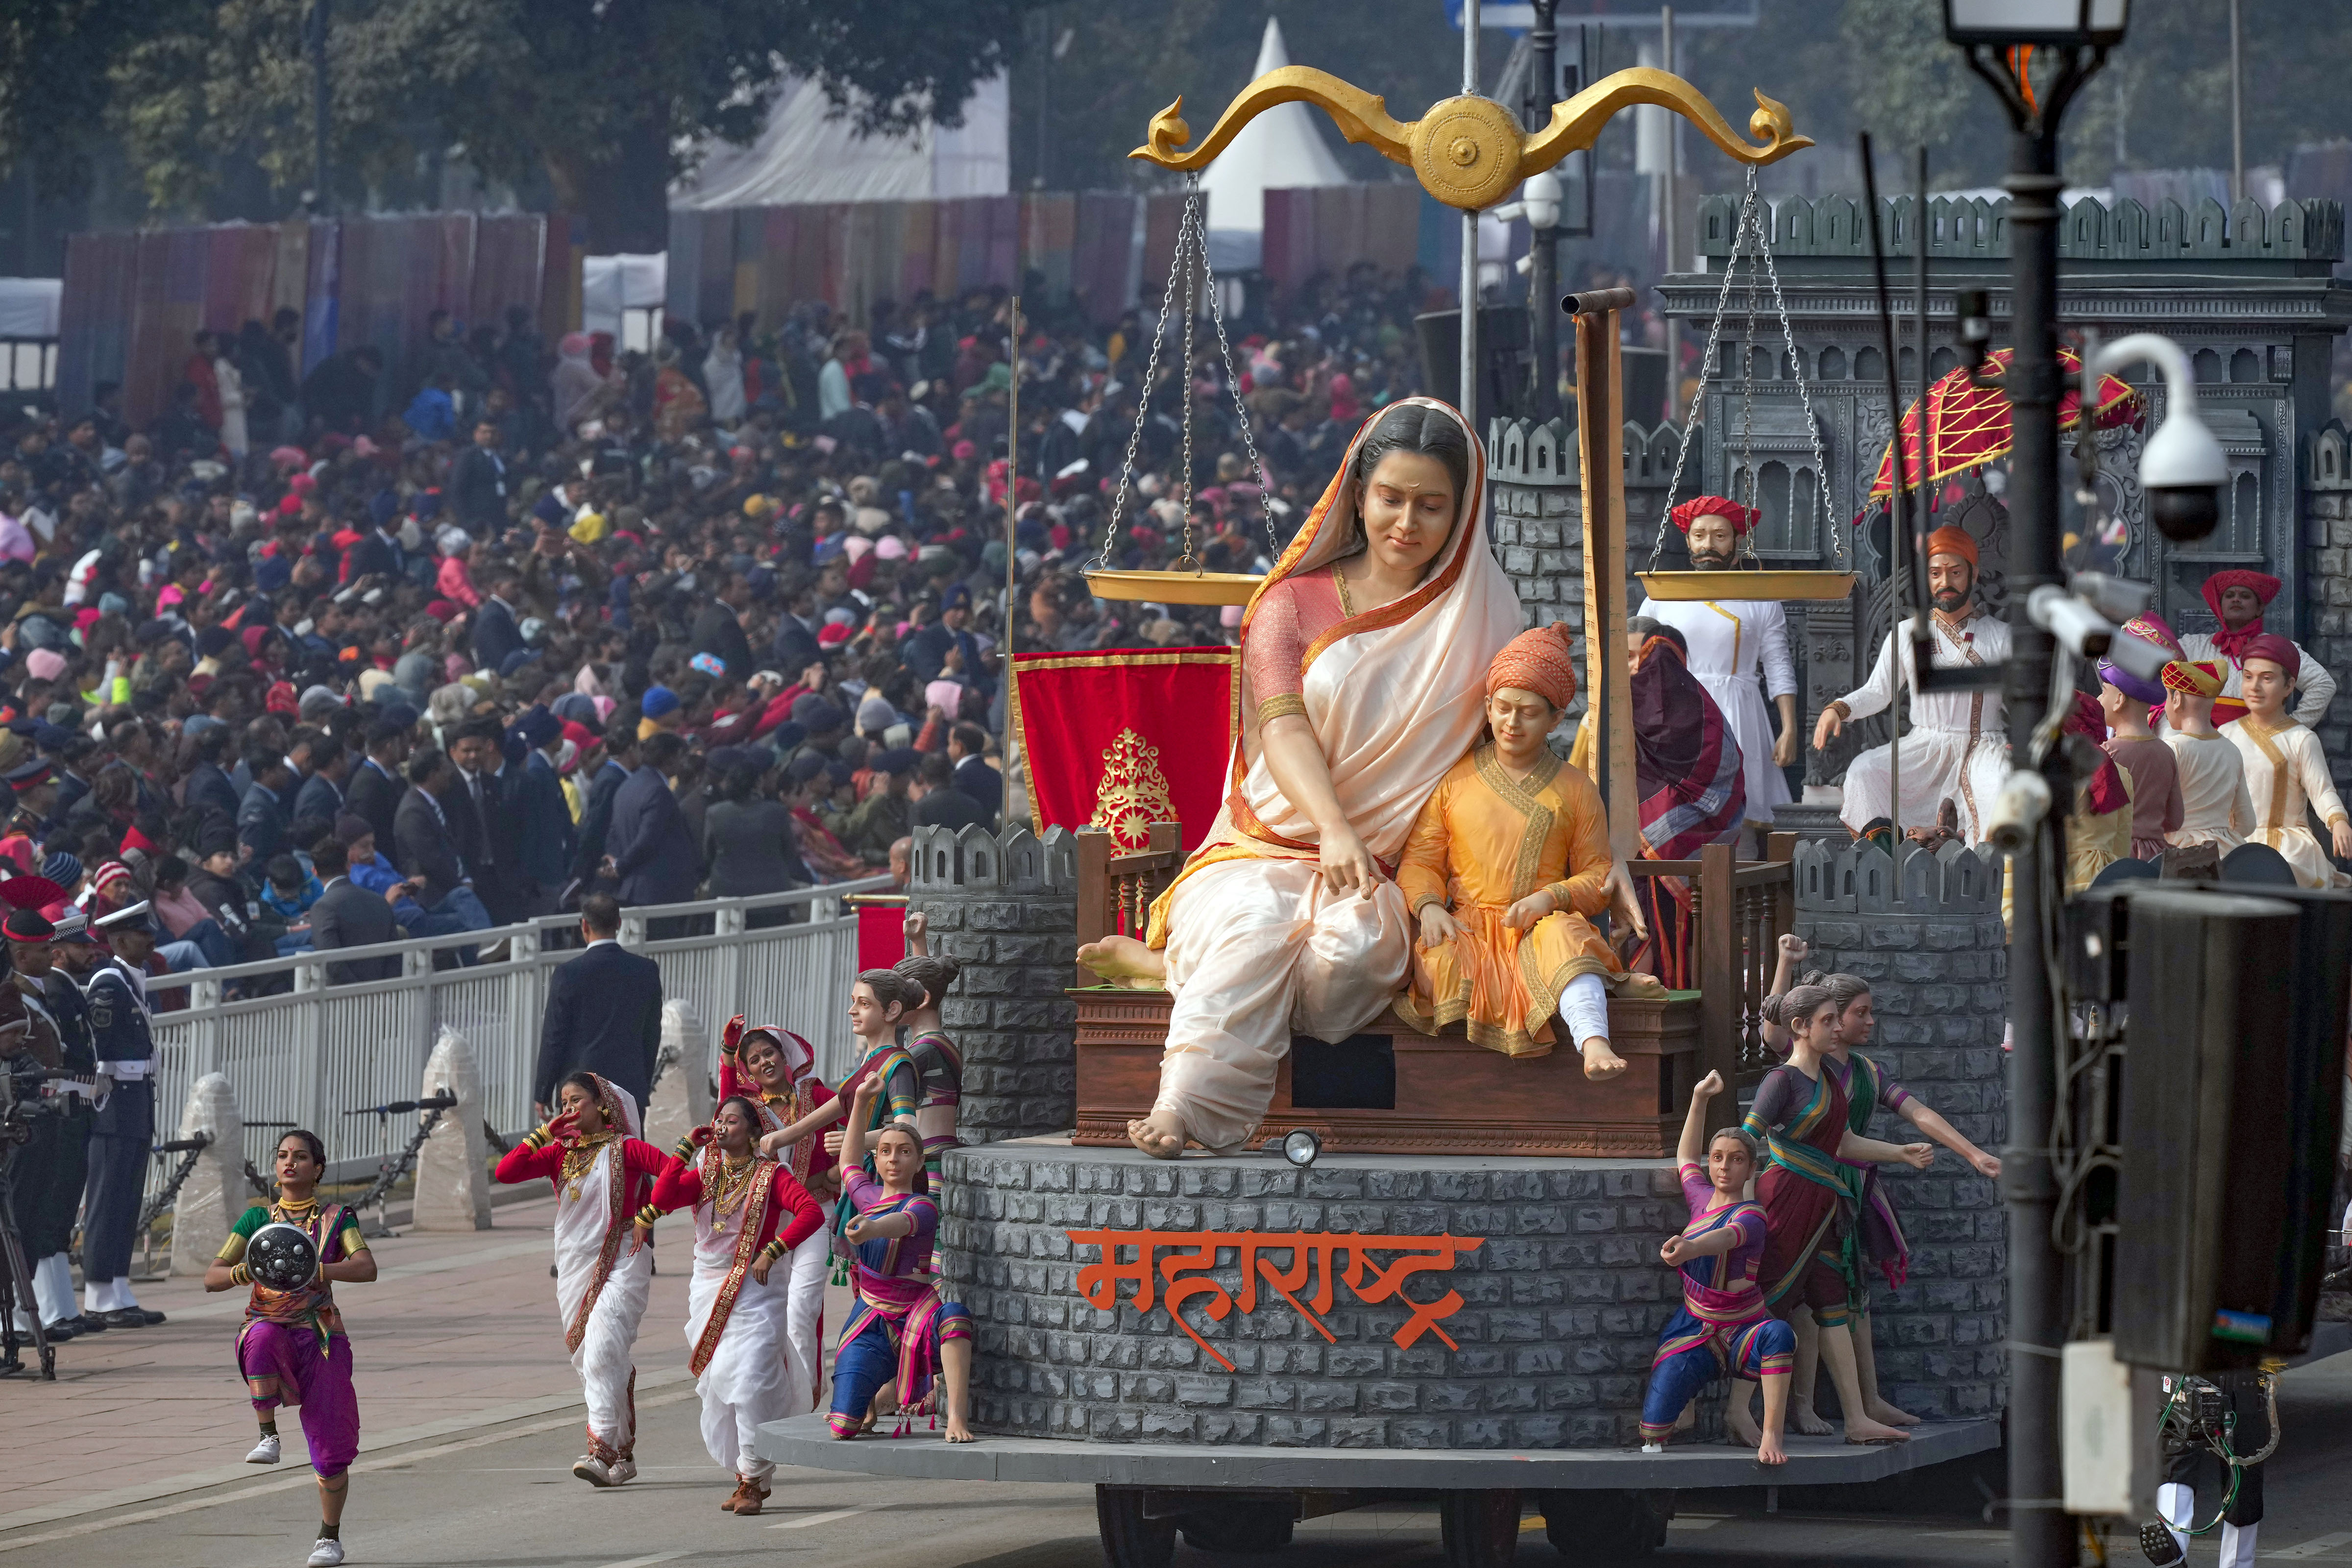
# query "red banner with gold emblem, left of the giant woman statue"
(1128, 739)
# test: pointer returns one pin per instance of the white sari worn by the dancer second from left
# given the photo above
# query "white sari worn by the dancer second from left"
(603, 1282)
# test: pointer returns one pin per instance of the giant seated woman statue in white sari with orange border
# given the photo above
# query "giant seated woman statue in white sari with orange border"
(1363, 681)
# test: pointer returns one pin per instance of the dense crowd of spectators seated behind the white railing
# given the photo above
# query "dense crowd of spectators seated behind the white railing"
(321, 659)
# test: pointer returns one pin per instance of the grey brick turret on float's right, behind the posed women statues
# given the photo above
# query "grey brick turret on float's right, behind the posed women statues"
(1932, 946)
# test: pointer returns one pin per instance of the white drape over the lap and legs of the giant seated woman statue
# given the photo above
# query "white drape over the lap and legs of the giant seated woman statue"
(1262, 951)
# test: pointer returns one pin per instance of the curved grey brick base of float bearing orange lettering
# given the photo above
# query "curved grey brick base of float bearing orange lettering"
(1561, 1304)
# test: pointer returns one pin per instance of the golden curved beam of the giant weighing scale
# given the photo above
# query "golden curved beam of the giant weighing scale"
(1469, 152)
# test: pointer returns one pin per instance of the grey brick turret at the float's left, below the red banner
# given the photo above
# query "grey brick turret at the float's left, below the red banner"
(1005, 911)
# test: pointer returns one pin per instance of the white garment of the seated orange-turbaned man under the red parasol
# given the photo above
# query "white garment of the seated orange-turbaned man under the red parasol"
(1958, 746)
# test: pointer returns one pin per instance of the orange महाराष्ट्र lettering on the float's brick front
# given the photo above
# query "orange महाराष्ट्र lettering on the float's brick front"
(1172, 1268)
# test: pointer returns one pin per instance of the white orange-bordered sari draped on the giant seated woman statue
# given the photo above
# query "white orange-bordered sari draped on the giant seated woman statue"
(1257, 949)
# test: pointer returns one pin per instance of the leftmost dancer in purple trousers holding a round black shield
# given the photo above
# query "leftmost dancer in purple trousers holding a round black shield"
(293, 1348)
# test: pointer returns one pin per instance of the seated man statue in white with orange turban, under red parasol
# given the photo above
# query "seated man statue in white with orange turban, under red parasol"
(1958, 746)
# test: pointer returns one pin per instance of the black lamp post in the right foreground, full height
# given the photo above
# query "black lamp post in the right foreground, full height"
(2040, 1532)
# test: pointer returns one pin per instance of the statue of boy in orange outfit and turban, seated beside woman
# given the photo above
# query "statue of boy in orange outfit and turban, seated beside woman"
(1504, 873)
